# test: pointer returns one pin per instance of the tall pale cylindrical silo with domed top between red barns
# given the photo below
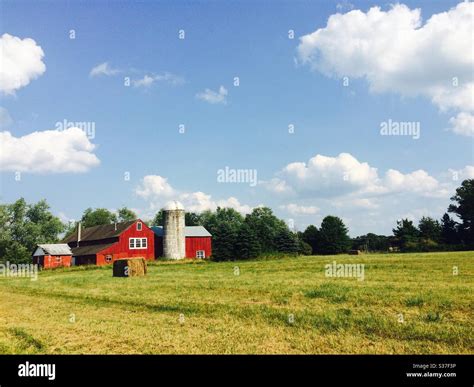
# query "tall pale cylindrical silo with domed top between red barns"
(174, 241)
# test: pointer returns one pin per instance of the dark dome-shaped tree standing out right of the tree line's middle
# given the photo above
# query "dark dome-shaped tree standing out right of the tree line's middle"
(333, 236)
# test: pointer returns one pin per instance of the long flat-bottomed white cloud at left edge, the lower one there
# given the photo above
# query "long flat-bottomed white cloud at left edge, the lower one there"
(49, 151)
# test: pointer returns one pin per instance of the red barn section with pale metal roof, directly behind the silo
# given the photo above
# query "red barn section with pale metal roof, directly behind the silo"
(198, 241)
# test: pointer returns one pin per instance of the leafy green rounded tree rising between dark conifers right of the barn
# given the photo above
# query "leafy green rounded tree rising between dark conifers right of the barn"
(266, 227)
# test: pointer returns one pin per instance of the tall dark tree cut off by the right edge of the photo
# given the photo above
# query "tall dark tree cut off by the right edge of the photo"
(464, 209)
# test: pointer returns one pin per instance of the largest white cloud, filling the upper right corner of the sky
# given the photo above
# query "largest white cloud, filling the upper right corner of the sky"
(395, 52)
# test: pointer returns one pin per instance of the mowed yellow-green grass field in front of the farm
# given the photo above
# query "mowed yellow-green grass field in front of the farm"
(407, 303)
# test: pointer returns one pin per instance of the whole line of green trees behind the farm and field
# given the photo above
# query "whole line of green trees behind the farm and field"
(234, 236)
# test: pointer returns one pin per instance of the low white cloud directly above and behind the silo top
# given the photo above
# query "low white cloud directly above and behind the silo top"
(157, 191)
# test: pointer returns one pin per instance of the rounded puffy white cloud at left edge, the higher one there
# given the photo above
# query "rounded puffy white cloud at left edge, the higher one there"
(21, 62)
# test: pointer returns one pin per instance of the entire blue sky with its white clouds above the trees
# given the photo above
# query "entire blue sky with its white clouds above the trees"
(283, 82)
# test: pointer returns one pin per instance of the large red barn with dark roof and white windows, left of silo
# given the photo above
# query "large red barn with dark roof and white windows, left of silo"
(100, 245)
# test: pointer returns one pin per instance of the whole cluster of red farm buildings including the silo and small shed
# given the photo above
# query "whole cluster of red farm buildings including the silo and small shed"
(101, 245)
